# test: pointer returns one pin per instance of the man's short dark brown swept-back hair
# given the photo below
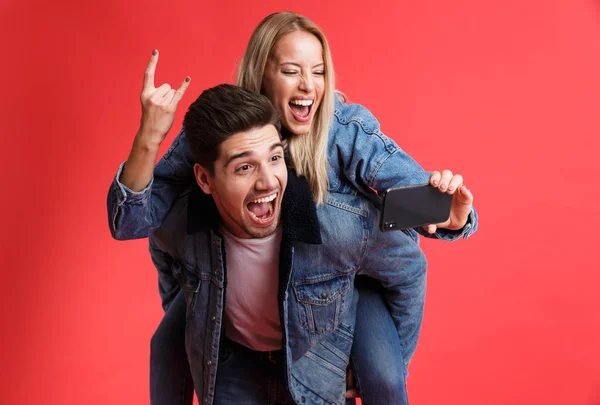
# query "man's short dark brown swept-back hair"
(219, 113)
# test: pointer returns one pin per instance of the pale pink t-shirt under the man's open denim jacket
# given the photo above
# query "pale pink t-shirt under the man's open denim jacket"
(251, 310)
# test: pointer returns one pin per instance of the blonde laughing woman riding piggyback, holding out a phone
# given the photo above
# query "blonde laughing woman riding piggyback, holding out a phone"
(339, 149)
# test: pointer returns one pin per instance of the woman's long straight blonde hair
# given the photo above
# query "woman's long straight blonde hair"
(308, 152)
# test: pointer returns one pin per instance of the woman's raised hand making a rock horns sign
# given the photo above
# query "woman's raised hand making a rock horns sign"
(158, 105)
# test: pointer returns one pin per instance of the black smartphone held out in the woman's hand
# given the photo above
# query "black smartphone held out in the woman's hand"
(414, 206)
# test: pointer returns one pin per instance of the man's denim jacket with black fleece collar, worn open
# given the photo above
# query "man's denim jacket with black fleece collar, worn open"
(322, 250)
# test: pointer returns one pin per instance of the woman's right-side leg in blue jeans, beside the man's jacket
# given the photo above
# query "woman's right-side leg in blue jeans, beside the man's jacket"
(376, 353)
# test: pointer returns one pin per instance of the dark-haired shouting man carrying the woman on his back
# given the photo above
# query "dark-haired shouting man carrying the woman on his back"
(255, 328)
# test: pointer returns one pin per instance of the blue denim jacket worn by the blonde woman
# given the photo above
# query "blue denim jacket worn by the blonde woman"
(361, 159)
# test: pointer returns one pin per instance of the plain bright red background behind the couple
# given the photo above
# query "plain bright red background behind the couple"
(506, 93)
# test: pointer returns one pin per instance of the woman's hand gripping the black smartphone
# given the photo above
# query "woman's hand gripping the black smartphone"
(462, 200)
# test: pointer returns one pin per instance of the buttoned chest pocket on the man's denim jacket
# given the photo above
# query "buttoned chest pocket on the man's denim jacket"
(320, 300)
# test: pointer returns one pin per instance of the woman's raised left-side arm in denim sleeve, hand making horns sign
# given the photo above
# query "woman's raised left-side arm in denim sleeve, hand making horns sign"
(141, 193)
